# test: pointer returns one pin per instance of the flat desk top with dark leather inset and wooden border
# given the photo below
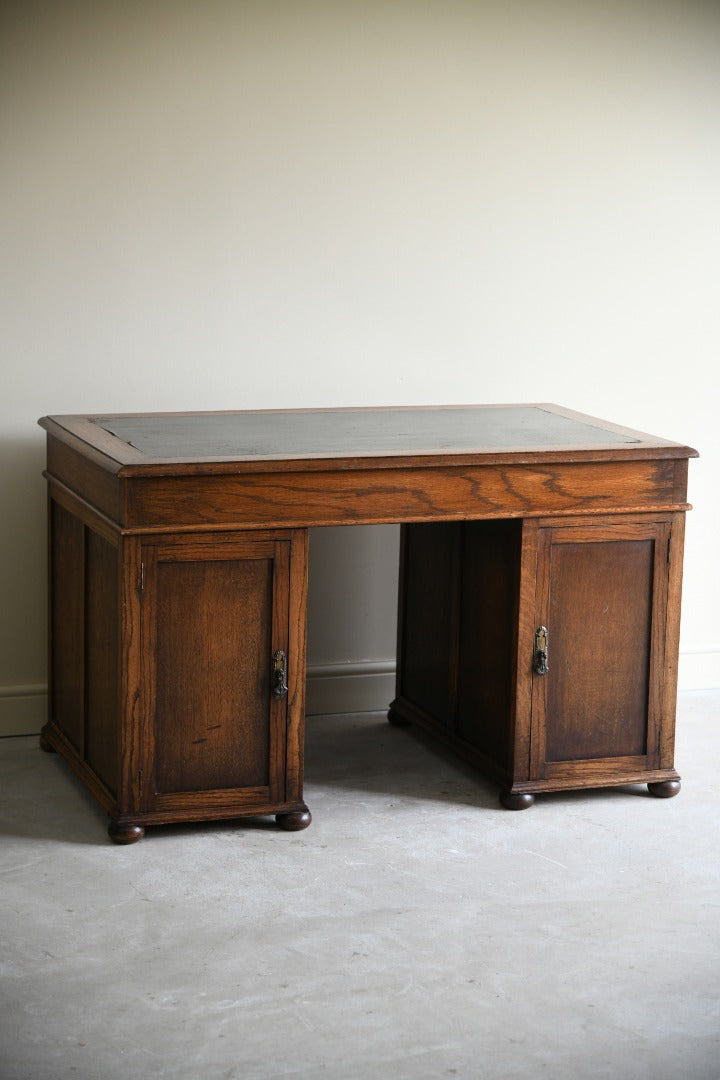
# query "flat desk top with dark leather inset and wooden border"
(148, 441)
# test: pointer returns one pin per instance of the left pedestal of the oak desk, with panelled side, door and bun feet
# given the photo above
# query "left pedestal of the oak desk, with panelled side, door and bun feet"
(178, 669)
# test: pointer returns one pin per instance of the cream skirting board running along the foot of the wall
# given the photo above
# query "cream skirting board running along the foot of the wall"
(360, 687)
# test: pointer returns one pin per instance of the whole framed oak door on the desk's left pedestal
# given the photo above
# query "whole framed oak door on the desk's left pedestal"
(215, 663)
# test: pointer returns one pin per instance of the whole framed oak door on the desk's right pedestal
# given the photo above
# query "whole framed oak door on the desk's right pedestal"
(599, 652)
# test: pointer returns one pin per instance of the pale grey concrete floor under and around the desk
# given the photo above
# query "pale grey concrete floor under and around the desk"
(416, 930)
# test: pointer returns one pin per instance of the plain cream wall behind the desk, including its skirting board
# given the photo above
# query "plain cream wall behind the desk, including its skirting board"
(221, 206)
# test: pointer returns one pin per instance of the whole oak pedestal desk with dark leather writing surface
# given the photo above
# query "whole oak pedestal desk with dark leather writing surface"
(539, 598)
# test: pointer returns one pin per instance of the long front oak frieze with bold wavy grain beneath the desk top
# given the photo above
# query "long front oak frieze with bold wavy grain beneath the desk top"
(384, 496)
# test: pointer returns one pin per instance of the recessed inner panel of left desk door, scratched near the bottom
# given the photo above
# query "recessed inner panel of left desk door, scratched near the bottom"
(214, 649)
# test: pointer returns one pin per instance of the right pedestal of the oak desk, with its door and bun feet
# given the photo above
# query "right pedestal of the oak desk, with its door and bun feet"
(545, 651)
